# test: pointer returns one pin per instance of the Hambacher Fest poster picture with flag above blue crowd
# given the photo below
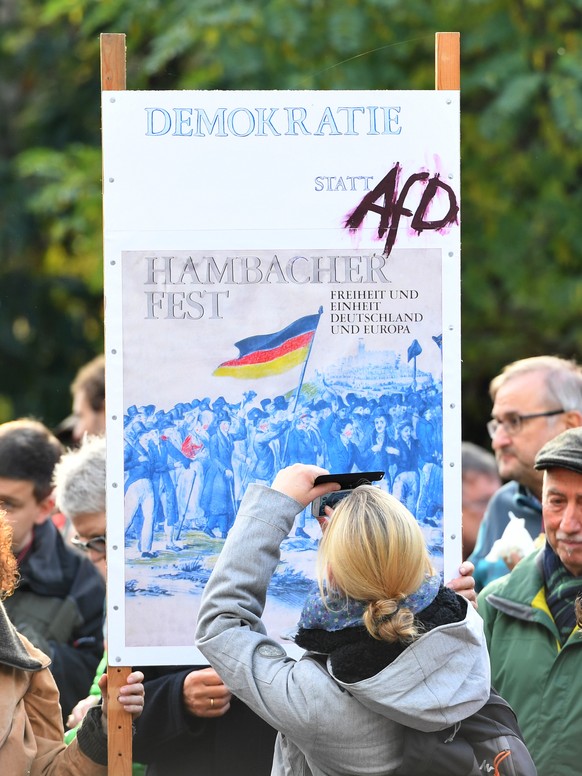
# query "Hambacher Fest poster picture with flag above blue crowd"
(347, 376)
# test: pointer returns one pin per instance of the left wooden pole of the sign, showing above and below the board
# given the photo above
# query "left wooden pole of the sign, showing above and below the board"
(119, 728)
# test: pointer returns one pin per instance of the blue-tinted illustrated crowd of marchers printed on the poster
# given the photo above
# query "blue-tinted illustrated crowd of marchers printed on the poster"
(190, 465)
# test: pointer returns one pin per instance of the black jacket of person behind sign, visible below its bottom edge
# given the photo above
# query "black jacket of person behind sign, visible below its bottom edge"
(171, 741)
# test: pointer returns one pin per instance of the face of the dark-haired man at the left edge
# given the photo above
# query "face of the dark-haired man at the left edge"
(22, 509)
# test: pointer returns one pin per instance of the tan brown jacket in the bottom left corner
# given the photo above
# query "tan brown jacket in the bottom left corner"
(31, 728)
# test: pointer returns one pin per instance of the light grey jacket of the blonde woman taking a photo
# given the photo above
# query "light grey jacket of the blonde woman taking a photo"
(327, 727)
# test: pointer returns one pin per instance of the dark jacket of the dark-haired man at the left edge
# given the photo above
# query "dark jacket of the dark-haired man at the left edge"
(58, 605)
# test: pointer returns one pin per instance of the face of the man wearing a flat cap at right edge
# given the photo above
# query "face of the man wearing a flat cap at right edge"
(562, 510)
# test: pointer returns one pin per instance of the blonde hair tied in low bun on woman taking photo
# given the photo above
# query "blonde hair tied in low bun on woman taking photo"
(373, 550)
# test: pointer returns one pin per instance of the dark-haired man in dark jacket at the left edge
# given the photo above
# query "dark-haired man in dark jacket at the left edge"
(58, 602)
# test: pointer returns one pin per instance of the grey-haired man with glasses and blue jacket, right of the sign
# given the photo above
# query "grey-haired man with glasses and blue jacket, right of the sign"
(534, 400)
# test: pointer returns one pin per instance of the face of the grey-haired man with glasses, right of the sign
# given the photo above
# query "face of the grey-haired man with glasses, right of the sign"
(523, 395)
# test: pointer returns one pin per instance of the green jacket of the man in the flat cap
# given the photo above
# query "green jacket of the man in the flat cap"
(529, 668)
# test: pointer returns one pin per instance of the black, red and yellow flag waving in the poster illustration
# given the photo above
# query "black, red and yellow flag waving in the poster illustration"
(272, 354)
